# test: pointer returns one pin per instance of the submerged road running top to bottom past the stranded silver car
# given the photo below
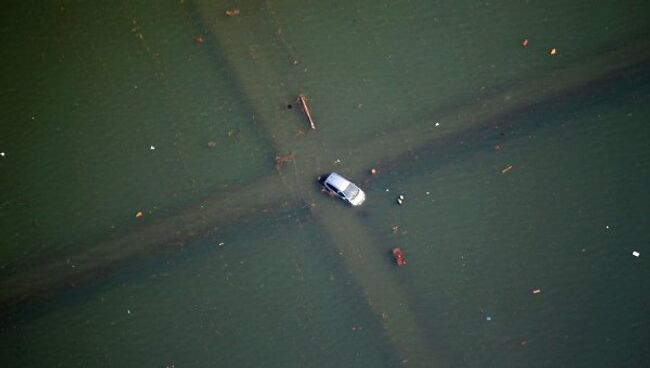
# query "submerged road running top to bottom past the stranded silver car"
(366, 266)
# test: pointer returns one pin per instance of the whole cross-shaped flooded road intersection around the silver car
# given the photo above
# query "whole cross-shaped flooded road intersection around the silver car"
(351, 237)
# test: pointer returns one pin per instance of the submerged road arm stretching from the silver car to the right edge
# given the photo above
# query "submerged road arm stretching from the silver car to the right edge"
(497, 109)
